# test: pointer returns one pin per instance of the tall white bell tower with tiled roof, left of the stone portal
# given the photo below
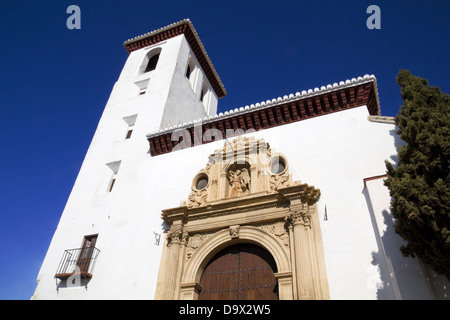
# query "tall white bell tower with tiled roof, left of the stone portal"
(167, 80)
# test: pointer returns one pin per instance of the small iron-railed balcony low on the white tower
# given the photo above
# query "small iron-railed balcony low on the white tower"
(79, 261)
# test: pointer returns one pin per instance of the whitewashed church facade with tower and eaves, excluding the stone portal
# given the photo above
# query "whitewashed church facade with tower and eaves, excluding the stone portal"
(124, 185)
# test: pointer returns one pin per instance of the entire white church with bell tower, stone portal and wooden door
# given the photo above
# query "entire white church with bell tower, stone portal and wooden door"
(282, 199)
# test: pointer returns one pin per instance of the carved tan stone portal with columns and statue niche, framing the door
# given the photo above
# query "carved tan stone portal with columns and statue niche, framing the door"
(241, 196)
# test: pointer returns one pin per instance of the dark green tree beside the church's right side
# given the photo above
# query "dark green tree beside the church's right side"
(420, 184)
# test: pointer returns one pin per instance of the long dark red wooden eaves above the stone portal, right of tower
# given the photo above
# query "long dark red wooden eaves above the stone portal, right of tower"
(270, 116)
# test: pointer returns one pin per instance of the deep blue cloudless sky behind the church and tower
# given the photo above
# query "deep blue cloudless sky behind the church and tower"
(55, 82)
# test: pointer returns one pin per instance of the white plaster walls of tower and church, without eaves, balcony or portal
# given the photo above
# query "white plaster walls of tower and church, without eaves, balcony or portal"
(334, 152)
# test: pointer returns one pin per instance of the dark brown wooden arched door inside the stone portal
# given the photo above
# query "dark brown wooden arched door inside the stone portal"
(240, 272)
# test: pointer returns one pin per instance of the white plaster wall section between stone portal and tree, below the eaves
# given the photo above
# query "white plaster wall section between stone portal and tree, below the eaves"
(334, 153)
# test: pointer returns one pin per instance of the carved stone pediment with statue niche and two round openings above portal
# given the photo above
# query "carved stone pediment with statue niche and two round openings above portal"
(244, 167)
